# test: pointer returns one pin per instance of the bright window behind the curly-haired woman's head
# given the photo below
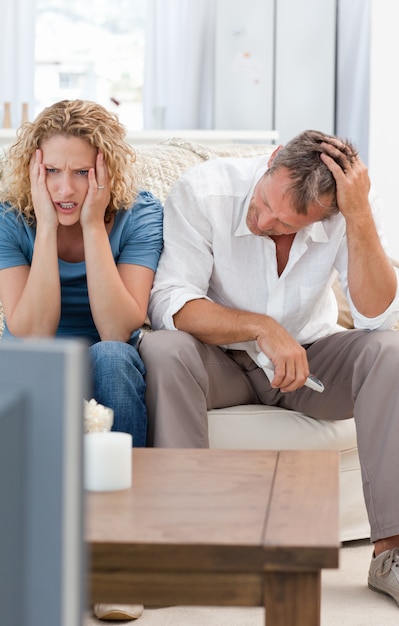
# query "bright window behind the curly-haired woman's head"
(92, 50)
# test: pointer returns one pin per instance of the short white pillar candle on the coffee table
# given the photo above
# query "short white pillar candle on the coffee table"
(107, 461)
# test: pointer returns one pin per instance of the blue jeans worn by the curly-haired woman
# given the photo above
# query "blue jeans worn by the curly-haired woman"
(118, 383)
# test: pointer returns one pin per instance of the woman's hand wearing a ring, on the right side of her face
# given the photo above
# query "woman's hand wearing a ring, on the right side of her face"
(98, 194)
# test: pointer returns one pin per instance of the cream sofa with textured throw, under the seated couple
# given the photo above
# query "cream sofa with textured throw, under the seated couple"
(258, 426)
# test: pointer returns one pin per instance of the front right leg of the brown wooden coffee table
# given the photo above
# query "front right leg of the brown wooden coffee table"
(292, 599)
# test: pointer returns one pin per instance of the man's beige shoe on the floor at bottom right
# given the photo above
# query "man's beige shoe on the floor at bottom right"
(384, 573)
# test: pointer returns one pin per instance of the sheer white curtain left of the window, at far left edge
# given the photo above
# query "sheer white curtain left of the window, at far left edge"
(17, 56)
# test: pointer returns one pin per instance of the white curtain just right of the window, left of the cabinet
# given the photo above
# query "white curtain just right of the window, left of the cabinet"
(178, 77)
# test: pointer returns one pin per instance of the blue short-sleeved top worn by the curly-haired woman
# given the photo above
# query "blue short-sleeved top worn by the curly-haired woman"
(135, 238)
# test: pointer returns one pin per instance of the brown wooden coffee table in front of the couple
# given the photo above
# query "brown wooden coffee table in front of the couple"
(218, 528)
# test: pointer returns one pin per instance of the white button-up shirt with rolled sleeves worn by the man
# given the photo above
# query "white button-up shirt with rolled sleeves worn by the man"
(209, 252)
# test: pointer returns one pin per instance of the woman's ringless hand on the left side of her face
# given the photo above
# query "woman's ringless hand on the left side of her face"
(44, 209)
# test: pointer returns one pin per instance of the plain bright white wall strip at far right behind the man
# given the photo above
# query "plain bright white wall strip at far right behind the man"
(384, 113)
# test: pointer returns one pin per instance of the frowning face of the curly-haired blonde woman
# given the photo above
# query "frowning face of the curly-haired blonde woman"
(67, 161)
